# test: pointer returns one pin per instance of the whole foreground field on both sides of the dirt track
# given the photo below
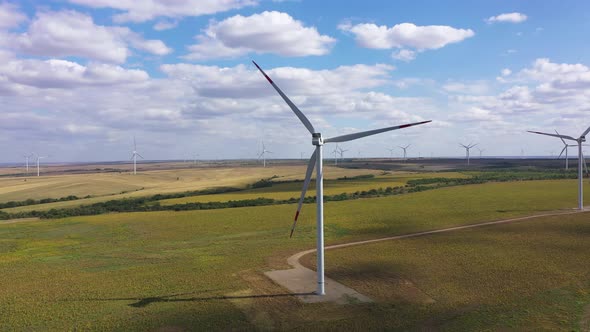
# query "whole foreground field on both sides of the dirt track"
(203, 269)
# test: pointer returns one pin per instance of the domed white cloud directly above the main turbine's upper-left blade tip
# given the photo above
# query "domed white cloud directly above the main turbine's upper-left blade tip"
(267, 32)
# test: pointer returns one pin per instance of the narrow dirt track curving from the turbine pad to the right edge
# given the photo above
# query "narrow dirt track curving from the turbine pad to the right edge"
(298, 269)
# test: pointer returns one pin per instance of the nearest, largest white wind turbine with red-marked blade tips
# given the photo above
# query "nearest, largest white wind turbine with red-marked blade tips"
(316, 162)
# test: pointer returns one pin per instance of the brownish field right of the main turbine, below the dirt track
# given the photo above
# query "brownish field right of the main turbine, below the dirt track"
(529, 275)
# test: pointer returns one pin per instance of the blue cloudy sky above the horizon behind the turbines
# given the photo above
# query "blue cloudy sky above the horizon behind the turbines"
(80, 78)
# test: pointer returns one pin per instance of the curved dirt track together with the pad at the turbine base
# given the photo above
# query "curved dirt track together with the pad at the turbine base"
(298, 278)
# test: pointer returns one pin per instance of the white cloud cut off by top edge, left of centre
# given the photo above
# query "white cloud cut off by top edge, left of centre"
(145, 10)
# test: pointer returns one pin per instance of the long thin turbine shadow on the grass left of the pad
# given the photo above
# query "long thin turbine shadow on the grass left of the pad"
(144, 301)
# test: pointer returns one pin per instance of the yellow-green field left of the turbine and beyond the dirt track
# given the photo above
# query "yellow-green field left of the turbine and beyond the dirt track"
(169, 270)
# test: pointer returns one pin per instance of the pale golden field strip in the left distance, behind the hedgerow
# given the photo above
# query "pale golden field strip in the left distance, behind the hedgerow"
(107, 186)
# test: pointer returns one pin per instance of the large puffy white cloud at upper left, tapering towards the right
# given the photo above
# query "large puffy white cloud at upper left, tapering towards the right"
(70, 33)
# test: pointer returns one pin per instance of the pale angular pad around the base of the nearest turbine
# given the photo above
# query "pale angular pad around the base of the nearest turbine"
(302, 281)
